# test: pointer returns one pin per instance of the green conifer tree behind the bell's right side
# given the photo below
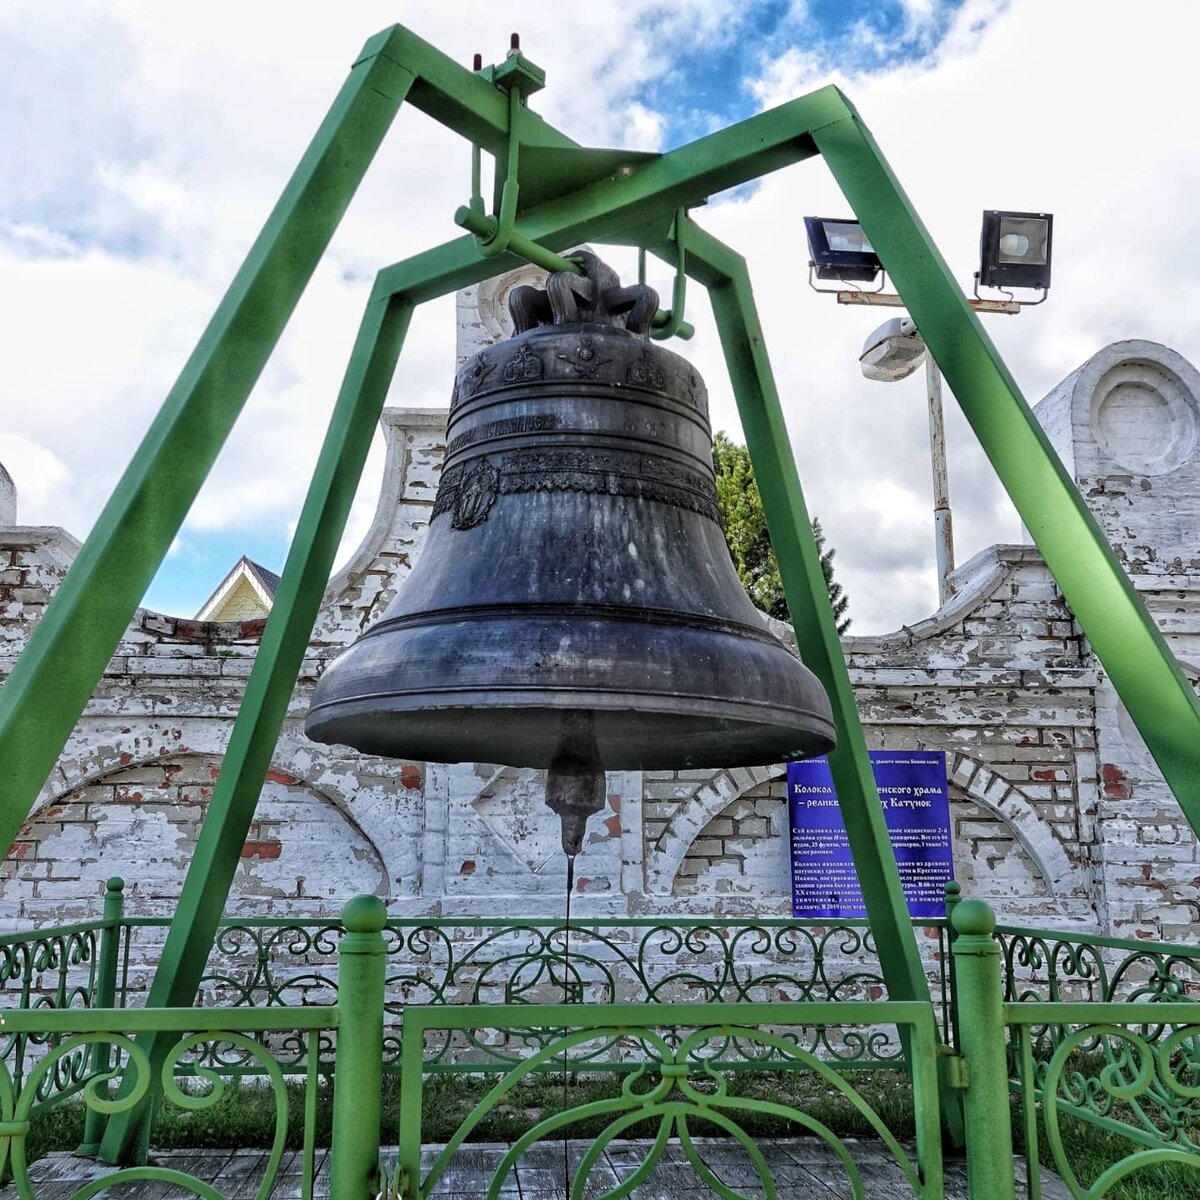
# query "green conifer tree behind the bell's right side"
(745, 525)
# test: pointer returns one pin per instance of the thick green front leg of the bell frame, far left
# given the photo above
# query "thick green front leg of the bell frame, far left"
(76, 639)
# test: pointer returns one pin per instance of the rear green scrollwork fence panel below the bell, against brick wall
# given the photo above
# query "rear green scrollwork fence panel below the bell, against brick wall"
(524, 963)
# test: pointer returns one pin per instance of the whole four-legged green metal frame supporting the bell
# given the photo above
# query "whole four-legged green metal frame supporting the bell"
(571, 195)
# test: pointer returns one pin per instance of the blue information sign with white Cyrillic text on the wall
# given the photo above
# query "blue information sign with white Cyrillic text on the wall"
(917, 807)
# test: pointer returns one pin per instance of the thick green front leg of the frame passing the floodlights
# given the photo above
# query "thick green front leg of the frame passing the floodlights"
(1121, 632)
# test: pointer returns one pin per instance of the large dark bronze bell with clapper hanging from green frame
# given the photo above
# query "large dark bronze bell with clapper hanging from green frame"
(575, 605)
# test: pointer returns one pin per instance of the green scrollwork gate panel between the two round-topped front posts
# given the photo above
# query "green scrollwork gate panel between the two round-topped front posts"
(676, 1089)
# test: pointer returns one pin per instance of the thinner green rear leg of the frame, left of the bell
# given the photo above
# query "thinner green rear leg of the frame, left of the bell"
(272, 683)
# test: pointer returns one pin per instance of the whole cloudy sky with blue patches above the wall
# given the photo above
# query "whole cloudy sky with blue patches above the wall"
(147, 141)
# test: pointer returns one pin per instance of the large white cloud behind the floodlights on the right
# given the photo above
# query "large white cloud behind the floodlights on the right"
(1069, 109)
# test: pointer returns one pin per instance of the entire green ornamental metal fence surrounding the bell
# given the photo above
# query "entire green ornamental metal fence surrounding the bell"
(1076, 1029)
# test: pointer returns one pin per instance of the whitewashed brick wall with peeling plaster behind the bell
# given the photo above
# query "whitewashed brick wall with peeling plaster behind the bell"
(1060, 813)
